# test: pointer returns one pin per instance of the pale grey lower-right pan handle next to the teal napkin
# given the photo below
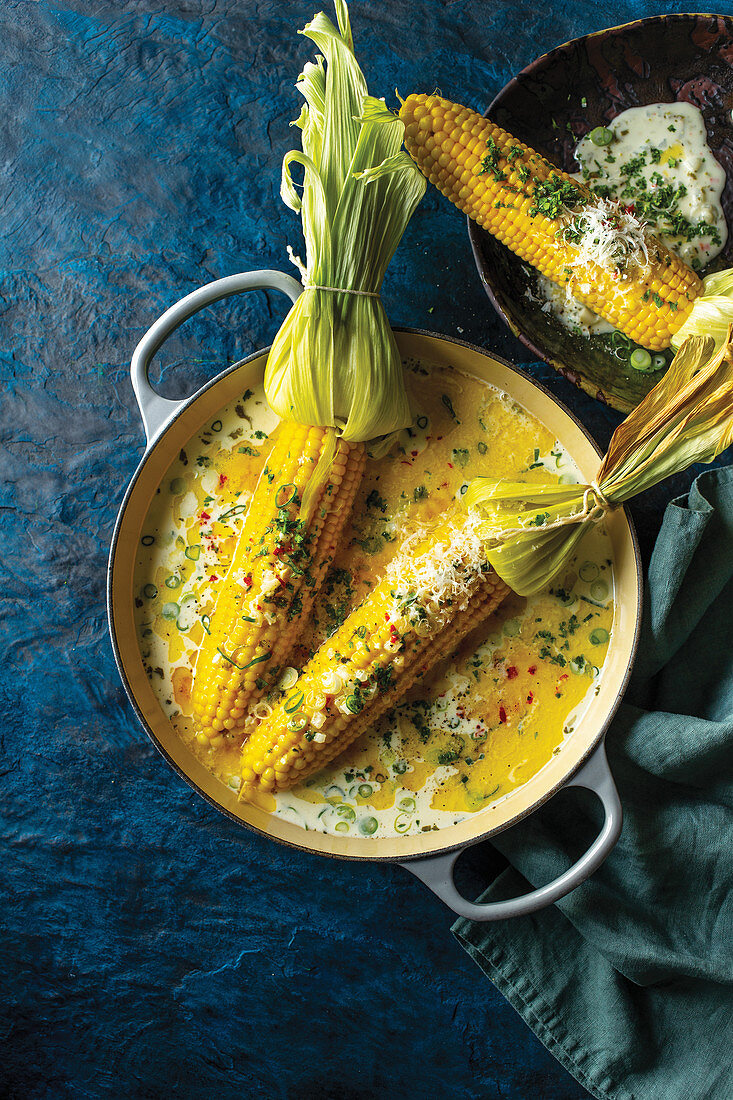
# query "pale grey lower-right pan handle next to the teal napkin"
(437, 872)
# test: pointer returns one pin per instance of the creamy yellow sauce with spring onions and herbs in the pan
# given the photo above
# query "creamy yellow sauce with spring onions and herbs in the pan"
(489, 717)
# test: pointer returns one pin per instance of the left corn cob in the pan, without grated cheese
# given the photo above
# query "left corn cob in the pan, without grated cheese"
(280, 562)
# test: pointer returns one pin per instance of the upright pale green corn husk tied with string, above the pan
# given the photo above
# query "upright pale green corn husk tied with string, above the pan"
(335, 361)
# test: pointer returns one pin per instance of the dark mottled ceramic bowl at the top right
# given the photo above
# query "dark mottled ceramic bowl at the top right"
(686, 59)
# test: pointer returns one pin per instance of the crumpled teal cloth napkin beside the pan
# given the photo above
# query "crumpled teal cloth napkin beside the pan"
(628, 981)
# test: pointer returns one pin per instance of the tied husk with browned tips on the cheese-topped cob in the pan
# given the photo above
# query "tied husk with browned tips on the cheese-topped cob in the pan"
(532, 531)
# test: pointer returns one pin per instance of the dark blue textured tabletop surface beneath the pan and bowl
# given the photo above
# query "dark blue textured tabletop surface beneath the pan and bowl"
(150, 948)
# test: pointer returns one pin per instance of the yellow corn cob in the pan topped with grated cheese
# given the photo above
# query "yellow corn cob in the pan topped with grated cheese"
(437, 589)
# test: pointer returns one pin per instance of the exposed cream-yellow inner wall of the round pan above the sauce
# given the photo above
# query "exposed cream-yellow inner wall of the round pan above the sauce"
(576, 749)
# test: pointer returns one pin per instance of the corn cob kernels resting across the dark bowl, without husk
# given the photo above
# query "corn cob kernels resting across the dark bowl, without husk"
(552, 221)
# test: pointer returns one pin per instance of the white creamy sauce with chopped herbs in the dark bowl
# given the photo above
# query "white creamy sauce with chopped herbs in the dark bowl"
(658, 162)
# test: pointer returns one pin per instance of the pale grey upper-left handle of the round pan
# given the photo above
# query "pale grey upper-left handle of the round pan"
(157, 411)
